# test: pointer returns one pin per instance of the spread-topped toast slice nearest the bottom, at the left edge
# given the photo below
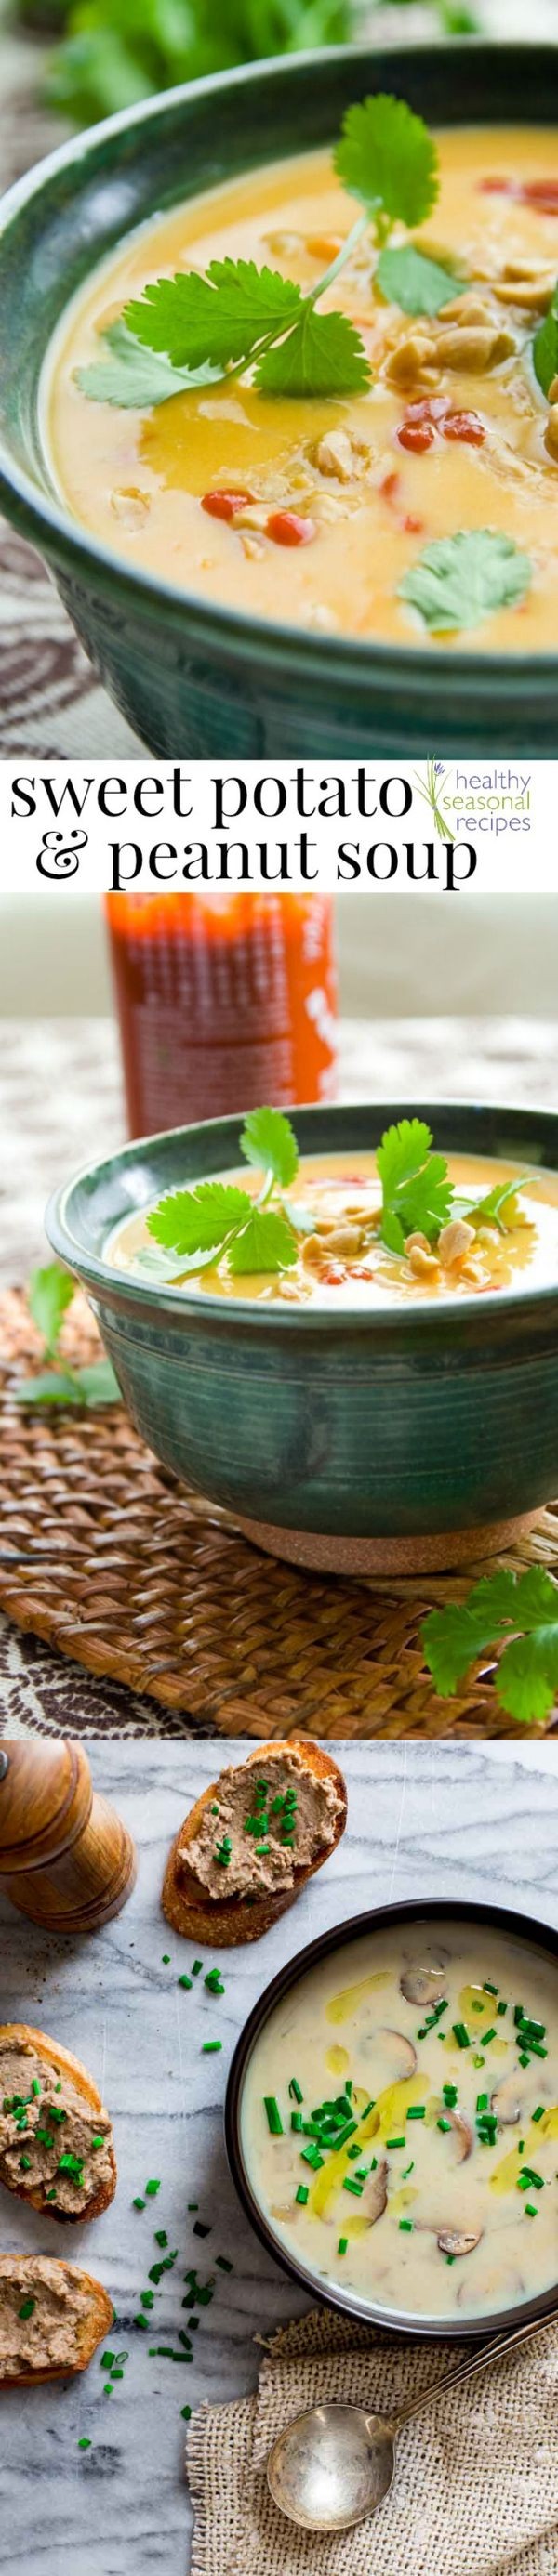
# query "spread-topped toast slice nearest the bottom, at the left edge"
(76, 2309)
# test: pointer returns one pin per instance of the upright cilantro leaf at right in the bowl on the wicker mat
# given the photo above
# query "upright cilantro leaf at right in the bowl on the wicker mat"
(417, 1194)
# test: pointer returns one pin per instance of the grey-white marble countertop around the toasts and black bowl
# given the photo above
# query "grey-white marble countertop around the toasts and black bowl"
(422, 1820)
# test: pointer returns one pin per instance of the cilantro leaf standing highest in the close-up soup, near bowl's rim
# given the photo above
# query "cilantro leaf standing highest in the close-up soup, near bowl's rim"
(386, 158)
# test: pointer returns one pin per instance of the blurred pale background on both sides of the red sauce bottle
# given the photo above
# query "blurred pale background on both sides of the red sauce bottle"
(402, 957)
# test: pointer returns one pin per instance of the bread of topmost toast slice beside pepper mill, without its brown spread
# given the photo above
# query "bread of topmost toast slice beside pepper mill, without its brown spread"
(223, 1923)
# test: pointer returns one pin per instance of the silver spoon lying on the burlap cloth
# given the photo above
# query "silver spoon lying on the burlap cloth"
(337, 2464)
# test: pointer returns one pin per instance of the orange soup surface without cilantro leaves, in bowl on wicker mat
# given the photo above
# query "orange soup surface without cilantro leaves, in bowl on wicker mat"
(342, 1258)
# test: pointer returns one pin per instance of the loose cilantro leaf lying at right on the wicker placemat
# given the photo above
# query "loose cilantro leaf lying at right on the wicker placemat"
(513, 1611)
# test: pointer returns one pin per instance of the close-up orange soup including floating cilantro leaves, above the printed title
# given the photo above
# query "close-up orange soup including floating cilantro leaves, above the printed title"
(397, 483)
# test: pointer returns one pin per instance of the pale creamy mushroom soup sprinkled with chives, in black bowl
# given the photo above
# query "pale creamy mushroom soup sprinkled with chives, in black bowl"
(402, 2121)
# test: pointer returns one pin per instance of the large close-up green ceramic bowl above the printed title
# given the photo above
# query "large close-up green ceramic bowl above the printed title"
(198, 681)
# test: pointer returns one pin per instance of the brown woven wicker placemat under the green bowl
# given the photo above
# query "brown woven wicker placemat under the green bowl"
(115, 1565)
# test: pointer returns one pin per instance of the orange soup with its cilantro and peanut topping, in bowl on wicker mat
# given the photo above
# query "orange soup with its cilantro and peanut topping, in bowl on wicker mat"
(482, 1227)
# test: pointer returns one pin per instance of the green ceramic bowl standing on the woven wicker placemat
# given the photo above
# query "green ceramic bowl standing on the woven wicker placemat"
(350, 1441)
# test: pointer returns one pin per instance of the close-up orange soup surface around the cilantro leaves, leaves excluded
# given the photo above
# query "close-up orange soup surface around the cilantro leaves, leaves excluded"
(141, 480)
